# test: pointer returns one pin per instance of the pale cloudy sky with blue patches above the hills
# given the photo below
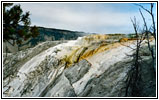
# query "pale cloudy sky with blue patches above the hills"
(87, 17)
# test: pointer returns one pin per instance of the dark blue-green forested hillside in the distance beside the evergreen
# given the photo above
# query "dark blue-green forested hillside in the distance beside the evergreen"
(52, 34)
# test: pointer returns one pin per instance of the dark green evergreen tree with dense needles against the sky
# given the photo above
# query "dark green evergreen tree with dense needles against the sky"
(16, 25)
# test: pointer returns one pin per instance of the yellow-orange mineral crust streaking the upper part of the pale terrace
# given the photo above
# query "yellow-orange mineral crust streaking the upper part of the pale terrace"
(86, 51)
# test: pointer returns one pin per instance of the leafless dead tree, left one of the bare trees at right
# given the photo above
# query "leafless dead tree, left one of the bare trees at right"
(134, 75)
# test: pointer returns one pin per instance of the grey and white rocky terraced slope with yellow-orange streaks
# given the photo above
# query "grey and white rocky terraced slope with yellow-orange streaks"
(86, 67)
